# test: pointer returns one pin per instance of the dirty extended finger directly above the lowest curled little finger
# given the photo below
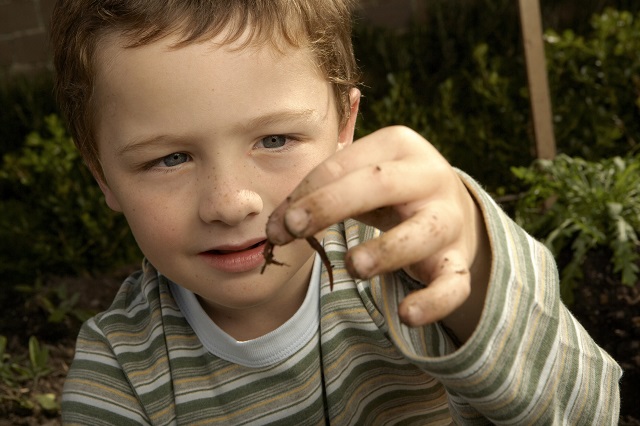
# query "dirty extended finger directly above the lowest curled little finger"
(412, 241)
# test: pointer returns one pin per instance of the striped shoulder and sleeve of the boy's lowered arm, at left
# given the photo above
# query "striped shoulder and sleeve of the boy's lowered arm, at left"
(121, 355)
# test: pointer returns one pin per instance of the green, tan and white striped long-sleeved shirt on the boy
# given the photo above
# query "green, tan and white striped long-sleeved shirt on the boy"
(528, 362)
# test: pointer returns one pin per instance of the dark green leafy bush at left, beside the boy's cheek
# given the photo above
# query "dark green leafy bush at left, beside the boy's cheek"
(54, 219)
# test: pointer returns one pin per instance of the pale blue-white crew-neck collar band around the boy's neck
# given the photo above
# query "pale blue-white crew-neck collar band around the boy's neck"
(269, 349)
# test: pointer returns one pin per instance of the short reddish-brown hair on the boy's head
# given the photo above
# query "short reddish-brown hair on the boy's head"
(78, 26)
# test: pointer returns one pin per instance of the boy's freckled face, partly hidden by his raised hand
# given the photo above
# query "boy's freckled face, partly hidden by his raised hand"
(198, 145)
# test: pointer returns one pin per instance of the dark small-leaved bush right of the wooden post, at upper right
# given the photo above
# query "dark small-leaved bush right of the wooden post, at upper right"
(595, 82)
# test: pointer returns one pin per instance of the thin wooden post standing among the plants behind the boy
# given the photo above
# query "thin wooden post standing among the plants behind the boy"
(531, 21)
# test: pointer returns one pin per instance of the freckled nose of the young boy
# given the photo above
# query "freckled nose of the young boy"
(228, 203)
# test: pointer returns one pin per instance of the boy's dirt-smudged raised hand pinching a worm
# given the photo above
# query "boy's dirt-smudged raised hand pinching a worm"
(396, 181)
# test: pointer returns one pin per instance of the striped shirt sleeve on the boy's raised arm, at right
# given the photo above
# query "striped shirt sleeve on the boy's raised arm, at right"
(529, 361)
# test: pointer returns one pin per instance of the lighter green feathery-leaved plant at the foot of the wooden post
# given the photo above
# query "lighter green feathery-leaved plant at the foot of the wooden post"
(580, 206)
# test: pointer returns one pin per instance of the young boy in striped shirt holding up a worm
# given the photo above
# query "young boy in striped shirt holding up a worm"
(207, 122)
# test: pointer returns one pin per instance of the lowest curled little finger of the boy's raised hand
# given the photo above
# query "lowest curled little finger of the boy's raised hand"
(444, 295)
